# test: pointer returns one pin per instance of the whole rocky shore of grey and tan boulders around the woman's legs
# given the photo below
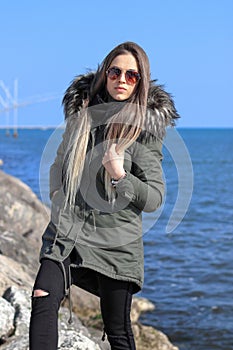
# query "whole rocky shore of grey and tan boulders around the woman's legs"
(22, 221)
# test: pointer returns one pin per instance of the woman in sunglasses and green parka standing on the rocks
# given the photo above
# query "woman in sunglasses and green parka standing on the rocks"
(106, 172)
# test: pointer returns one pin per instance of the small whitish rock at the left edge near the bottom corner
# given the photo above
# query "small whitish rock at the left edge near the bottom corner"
(6, 319)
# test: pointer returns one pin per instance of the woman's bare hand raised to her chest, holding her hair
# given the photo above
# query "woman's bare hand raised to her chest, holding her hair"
(113, 161)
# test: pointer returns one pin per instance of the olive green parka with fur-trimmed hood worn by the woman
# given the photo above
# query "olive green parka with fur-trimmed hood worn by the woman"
(102, 236)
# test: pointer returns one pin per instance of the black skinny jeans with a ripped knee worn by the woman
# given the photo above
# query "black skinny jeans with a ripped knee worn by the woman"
(115, 303)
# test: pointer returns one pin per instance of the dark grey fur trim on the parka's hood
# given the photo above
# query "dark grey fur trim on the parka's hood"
(161, 108)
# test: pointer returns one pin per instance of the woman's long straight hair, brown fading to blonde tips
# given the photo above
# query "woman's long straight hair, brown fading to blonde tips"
(124, 126)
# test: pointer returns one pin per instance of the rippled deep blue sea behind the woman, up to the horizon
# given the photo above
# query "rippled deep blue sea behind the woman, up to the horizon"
(188, 246)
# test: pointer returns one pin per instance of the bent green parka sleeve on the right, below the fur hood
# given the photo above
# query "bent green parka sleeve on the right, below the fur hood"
(143, 186)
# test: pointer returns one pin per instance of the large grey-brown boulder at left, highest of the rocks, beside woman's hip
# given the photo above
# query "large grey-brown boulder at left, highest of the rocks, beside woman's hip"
(21, 211)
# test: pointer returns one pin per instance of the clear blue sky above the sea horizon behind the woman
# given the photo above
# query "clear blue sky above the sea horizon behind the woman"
(44, 44)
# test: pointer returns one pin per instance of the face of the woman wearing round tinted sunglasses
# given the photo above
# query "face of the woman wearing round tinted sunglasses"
(120, 87)
